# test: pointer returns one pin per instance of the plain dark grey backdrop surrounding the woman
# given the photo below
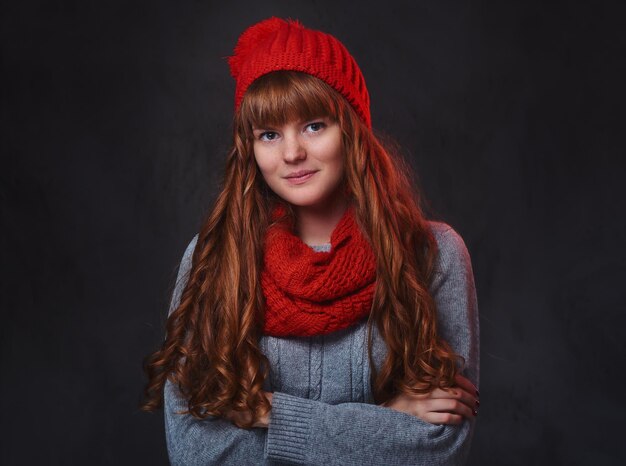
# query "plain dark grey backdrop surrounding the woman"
(115, 122)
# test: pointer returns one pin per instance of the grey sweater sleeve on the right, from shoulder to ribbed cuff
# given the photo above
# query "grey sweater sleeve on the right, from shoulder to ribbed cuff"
(304, 431)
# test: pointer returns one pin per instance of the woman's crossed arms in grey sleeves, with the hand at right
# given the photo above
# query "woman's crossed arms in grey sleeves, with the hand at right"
(409, 429)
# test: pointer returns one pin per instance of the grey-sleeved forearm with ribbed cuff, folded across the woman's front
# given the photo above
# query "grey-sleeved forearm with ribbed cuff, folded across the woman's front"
(304, 431)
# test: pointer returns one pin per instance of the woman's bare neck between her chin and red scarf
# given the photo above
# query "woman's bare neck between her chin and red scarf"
(315, 225)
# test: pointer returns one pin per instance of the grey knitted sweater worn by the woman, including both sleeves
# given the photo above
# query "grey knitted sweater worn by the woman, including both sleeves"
(322, 407)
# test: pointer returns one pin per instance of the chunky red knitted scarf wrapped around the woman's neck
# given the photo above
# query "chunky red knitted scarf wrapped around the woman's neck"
(313, 293)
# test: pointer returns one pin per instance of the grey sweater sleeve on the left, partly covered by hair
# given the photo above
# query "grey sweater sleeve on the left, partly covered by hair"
(192, 441)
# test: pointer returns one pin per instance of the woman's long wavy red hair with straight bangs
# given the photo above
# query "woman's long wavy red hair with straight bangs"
(211, 351)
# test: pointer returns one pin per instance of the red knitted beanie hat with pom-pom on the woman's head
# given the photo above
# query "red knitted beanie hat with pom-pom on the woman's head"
(275, 44)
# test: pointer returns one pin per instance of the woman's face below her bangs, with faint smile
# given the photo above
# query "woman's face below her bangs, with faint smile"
(302, 161)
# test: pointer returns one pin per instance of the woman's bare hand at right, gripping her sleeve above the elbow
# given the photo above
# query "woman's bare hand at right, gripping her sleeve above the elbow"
(440, 406)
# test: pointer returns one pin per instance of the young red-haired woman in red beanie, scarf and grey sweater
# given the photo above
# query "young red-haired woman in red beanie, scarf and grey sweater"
(318, 317)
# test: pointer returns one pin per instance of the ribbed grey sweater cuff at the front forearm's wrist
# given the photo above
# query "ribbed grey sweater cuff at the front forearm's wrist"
(289, 428)
